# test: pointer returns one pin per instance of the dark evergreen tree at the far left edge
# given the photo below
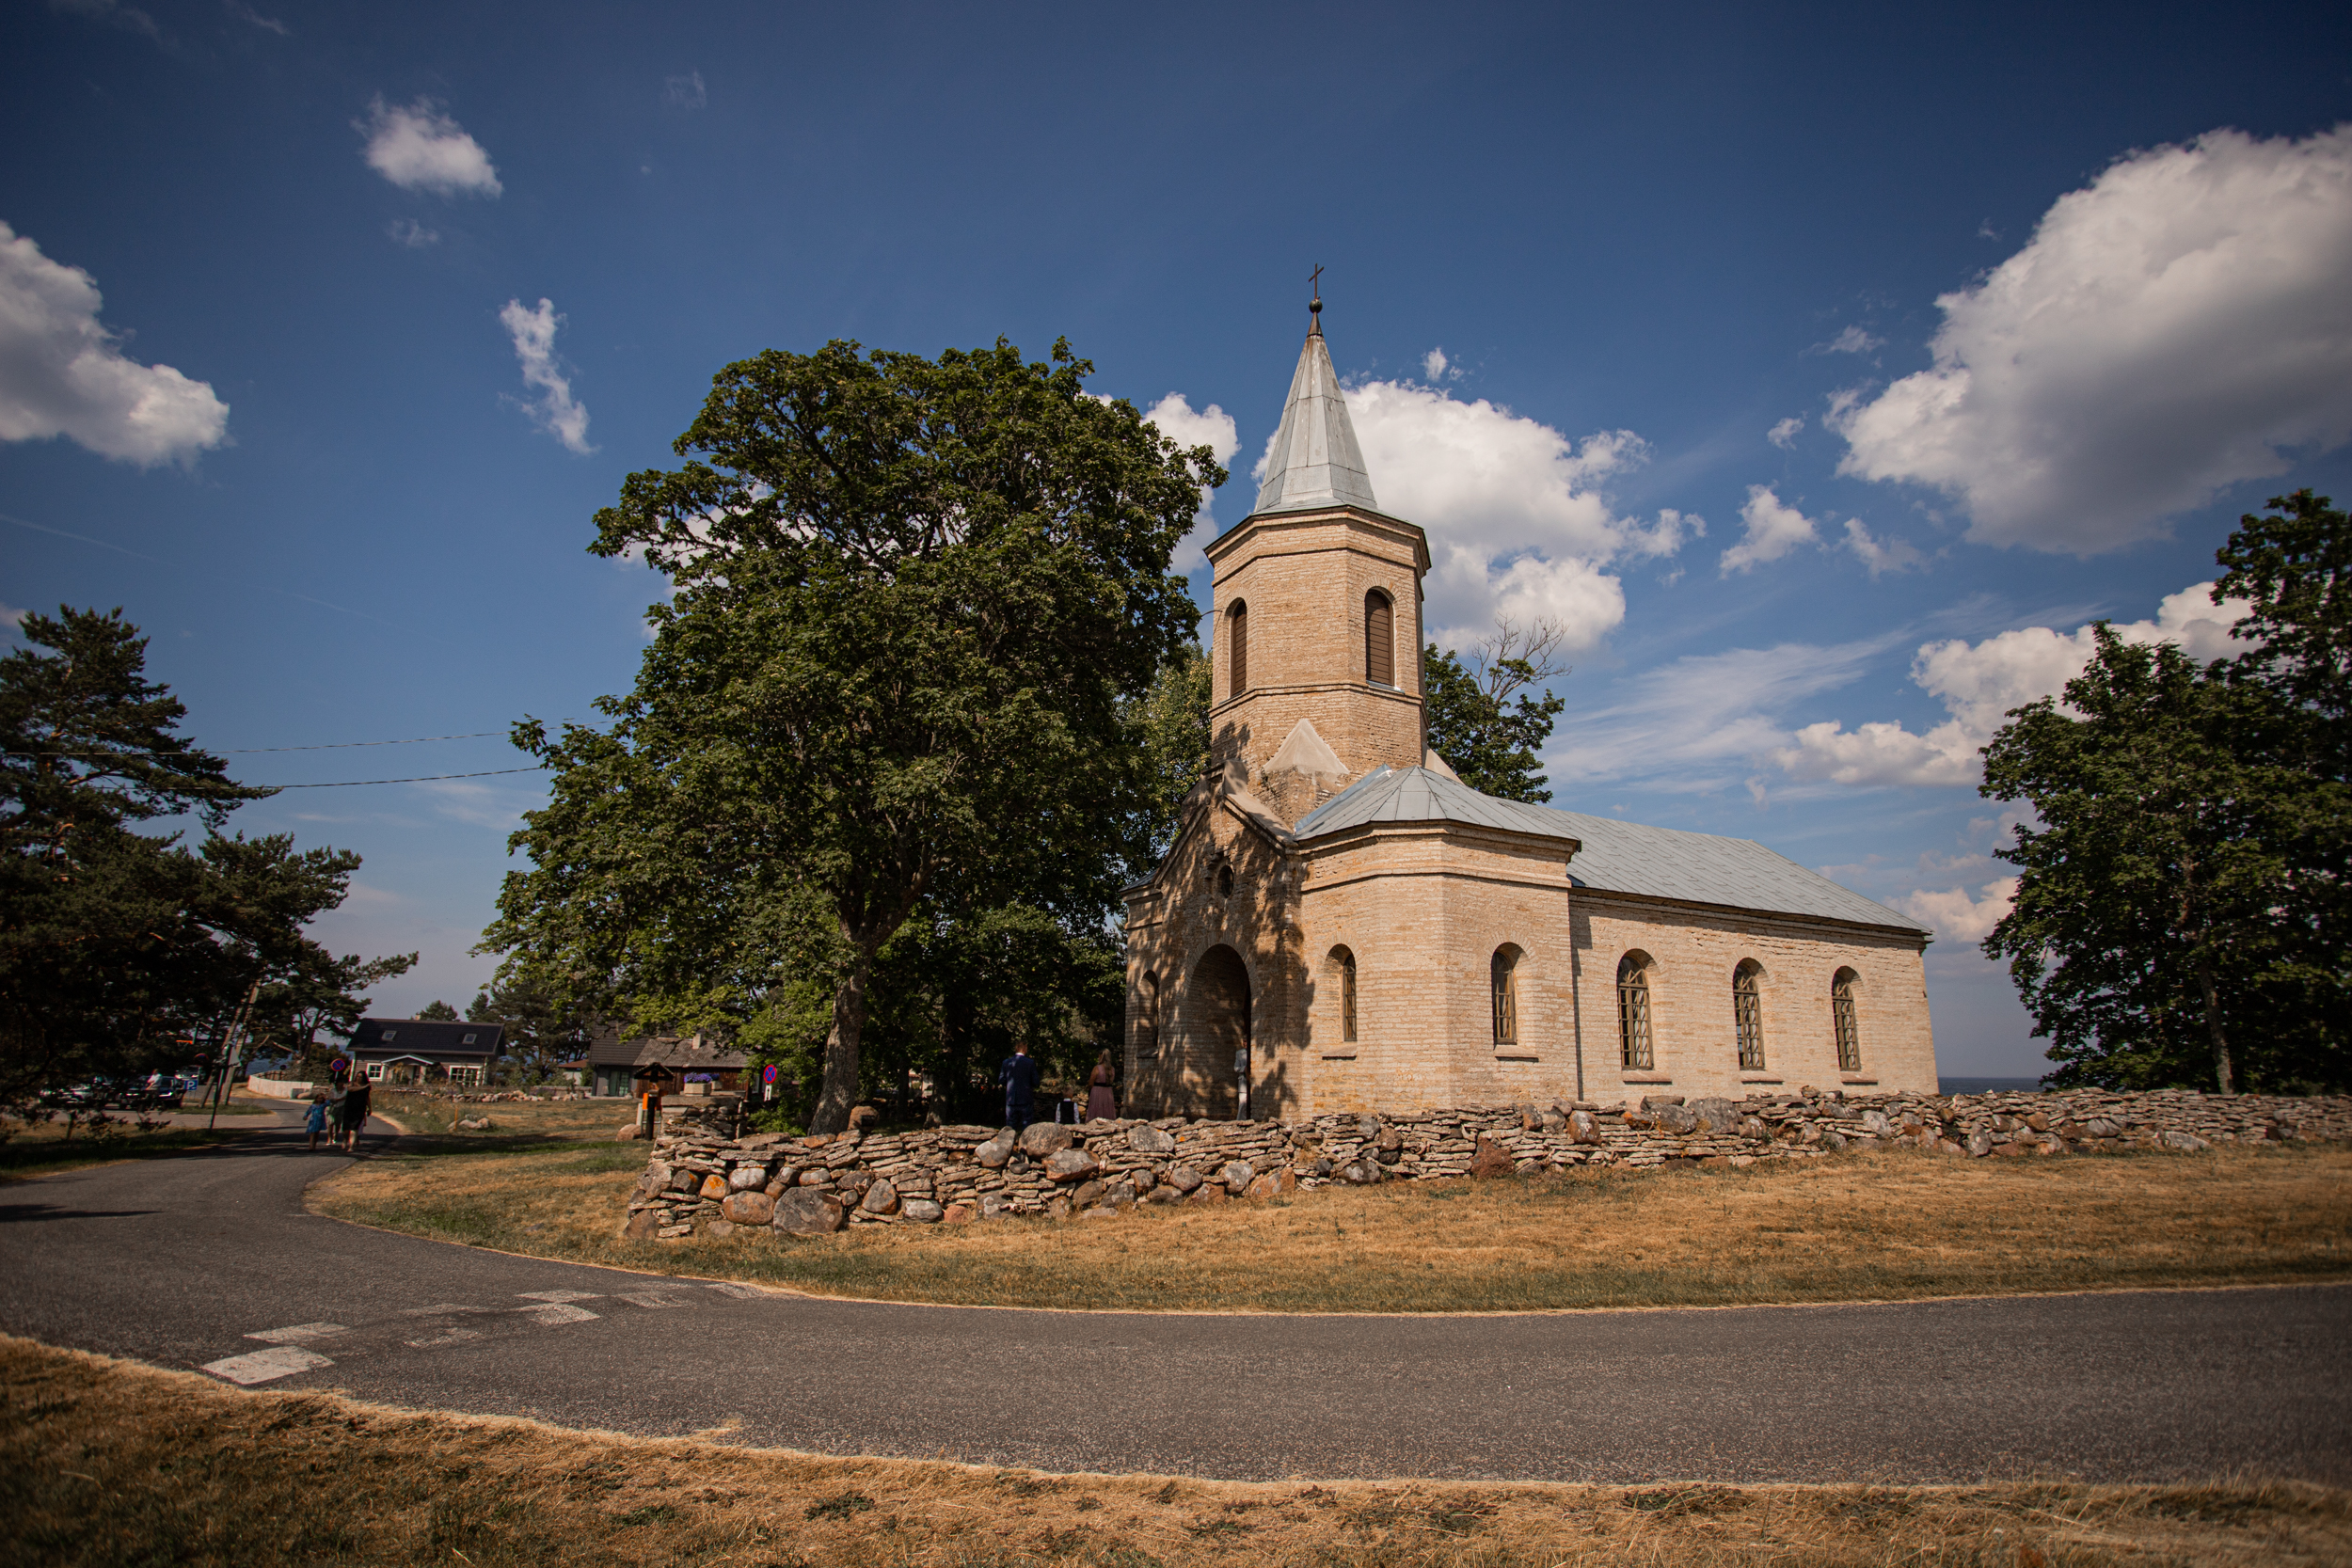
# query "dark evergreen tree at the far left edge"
(116, 946)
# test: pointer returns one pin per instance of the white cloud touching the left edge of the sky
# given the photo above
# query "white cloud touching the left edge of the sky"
(65, 375)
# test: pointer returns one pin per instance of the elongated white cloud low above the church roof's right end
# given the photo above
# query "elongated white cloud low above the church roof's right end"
(1979, 683)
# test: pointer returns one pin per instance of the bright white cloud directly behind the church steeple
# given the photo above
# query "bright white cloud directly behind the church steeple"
(1516, 511)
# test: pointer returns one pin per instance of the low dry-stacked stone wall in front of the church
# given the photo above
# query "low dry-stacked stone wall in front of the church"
(702, 1181)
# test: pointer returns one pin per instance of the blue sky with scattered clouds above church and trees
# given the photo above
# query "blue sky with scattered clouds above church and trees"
(1819, 370)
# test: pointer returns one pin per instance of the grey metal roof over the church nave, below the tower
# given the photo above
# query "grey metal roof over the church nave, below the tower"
(1617, 857)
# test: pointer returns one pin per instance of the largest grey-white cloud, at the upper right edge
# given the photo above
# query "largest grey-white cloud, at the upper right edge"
(2174, 328)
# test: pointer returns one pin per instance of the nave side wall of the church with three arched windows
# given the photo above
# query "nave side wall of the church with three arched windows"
(1692, 956)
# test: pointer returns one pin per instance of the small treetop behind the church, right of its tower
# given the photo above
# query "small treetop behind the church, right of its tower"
(1488, 739)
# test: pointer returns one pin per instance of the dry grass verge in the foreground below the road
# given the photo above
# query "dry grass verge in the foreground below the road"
(116, 1463)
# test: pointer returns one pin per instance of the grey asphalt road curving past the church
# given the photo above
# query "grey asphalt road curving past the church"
(211, 1261)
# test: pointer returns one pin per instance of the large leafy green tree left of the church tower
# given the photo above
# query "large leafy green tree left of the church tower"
(911, 608)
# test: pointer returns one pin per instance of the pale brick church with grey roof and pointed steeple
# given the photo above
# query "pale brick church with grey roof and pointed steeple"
(1344, 925)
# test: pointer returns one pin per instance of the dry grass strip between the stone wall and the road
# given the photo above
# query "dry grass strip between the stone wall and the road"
(1864, 1226)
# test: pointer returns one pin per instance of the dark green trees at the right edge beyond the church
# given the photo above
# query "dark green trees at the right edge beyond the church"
(2181, 887)
